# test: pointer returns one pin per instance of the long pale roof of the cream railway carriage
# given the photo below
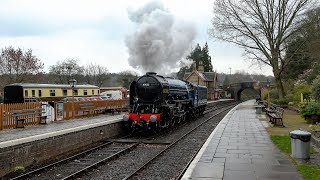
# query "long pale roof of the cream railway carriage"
(66, 86)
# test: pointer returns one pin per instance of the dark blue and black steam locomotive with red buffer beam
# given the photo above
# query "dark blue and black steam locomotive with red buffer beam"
(158, 102)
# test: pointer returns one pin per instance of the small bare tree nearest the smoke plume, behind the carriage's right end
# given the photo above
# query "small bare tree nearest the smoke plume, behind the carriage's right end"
(95, 74)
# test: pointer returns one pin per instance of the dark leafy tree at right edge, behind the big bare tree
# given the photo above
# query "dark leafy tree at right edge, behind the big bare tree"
(302, 50)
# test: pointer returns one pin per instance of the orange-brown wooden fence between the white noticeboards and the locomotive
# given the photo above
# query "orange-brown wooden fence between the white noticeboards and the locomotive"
(104, 104)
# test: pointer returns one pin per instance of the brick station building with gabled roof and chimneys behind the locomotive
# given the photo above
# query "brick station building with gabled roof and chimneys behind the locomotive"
(208, 79)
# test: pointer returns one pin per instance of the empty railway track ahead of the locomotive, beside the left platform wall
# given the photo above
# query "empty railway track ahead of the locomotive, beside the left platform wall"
(78, 164)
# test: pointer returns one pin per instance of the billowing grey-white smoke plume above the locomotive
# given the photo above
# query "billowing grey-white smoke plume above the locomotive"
(159, 41)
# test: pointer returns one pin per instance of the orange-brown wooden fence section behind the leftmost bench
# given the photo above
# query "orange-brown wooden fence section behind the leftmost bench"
(6, 119)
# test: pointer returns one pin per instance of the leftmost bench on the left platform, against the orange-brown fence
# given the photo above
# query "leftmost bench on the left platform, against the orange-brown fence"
(22, 115)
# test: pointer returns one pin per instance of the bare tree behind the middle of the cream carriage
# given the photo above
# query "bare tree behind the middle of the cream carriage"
(65, 70)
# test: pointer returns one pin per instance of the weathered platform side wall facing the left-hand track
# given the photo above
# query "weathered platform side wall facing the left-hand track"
(37, 152)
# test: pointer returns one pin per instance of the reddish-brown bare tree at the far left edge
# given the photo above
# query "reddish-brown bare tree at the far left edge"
(18, 66)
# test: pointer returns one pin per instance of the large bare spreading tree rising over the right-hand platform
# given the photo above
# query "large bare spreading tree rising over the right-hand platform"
(261, 28)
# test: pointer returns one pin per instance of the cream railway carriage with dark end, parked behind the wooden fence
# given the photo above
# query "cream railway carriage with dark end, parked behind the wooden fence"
(26, 92)
